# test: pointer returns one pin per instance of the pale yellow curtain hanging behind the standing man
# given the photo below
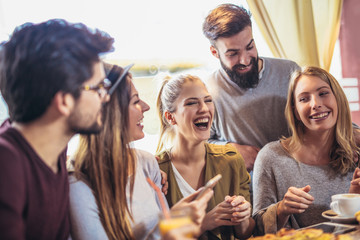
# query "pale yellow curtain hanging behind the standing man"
(304, 31)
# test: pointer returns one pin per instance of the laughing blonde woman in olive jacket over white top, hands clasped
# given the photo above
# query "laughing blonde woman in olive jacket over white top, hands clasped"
(186, 111)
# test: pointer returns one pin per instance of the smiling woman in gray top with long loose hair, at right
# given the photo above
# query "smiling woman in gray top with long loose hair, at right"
(295, 177)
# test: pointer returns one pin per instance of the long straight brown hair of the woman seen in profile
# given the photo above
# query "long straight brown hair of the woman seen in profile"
(104, 161)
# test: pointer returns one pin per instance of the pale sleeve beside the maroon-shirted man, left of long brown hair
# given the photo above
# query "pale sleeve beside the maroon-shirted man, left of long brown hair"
(84, 214)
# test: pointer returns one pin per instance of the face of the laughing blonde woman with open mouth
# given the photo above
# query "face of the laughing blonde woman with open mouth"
(194, 112)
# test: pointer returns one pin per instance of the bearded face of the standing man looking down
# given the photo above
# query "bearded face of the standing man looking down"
(239, 58)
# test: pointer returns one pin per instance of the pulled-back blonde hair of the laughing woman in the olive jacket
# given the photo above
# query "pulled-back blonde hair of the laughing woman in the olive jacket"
(170, 90)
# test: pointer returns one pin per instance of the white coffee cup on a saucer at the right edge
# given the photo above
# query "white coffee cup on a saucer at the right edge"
(346, 204)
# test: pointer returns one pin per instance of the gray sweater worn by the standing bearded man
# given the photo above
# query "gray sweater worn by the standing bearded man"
(254, 116)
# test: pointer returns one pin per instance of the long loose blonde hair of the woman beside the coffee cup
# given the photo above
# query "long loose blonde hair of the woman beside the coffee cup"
(344, 146)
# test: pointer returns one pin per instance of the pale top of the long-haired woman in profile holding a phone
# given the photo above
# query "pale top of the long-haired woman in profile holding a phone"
(84, 213)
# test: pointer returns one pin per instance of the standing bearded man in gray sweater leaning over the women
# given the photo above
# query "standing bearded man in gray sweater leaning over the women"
(249, 91)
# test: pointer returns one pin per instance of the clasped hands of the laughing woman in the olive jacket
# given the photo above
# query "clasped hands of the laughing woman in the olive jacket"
(232, 211)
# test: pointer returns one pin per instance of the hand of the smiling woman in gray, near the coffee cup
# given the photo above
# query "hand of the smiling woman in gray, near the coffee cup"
(296, 200)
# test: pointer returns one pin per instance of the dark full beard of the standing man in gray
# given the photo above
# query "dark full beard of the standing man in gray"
(246, 80)
